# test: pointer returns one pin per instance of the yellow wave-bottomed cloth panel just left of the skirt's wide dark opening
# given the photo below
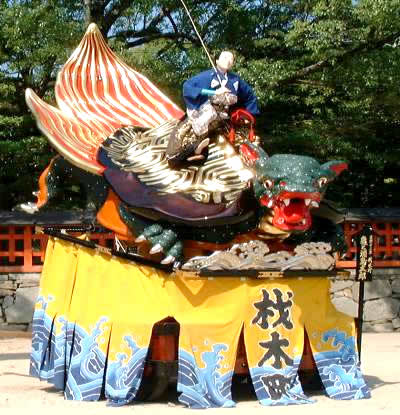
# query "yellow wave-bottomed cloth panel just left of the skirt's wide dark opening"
(139, 301)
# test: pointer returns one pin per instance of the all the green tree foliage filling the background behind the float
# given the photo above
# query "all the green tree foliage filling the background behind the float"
(326, 73)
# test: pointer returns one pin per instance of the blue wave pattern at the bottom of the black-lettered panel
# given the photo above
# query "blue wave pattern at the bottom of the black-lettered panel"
(278, 386)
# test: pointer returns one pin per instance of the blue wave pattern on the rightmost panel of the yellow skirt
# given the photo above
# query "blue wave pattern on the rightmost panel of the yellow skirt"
(340, 369)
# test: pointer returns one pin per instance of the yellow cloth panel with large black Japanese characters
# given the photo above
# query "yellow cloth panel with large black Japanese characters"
(274, 339)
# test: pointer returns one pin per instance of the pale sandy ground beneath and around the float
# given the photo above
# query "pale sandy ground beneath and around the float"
(21, 393)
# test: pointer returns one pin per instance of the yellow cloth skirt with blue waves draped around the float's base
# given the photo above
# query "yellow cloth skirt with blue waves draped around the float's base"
(94, 317)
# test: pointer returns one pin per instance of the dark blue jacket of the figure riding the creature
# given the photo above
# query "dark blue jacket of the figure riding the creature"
(208, 80)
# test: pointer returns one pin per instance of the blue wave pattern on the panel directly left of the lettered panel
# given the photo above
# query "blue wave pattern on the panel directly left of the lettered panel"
(204, 387)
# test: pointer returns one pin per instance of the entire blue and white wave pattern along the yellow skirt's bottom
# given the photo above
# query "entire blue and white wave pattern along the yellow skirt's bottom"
(70, 358)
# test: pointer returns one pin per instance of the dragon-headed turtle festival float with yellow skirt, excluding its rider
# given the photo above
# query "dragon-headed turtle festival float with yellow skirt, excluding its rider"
(225, 254)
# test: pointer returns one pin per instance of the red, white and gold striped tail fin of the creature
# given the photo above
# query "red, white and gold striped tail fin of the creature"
(97, 93)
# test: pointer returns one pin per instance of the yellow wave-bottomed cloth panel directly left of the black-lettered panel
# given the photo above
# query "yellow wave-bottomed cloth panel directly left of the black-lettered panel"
(210, 316)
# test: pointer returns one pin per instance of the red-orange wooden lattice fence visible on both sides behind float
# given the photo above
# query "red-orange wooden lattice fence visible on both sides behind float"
(23, 250)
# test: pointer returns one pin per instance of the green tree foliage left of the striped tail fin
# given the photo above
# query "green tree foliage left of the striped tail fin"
(35, 39)
